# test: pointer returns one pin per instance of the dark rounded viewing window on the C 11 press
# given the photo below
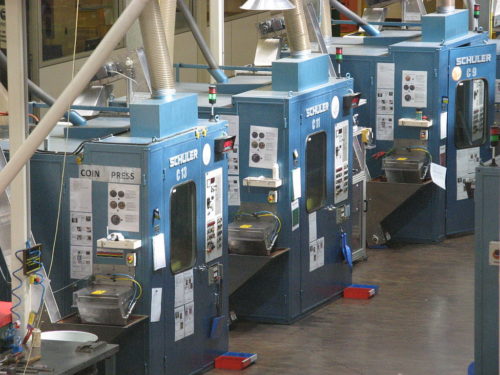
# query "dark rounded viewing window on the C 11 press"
(316, 171)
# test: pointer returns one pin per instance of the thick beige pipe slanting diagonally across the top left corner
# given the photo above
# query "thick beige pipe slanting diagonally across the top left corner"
(114, 36)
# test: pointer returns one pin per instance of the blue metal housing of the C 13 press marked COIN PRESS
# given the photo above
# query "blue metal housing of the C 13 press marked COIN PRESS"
(145, 347)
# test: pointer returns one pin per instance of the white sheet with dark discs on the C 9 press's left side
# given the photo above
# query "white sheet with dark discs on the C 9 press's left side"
(414, 88)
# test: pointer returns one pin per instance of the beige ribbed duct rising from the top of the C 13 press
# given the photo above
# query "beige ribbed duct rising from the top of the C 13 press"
(156, 50)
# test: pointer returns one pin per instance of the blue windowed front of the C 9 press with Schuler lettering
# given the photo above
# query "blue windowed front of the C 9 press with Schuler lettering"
(471, 86)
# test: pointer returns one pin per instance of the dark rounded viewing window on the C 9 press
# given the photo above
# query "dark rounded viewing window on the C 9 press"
(471, 113)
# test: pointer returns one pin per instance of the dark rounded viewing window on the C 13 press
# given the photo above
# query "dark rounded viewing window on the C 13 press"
(183, 227)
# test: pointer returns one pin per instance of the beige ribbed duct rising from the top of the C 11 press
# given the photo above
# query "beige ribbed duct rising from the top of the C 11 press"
(296, 29)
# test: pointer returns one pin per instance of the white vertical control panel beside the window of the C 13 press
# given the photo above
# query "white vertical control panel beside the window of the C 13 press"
(213, 214)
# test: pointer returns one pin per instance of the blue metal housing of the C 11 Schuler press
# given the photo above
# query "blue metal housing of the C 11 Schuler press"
(286, 289)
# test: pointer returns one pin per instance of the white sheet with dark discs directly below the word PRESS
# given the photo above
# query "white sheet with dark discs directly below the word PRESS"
(123, 207)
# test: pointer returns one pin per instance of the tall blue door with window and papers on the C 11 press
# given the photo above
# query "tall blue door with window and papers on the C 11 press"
(317, 213)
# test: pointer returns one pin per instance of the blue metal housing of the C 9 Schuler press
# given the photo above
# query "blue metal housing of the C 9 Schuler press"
(432, 213)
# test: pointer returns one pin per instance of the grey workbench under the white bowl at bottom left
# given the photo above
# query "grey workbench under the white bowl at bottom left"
(62, 357)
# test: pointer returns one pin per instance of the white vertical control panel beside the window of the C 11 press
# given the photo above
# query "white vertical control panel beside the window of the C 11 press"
(341, 161)
